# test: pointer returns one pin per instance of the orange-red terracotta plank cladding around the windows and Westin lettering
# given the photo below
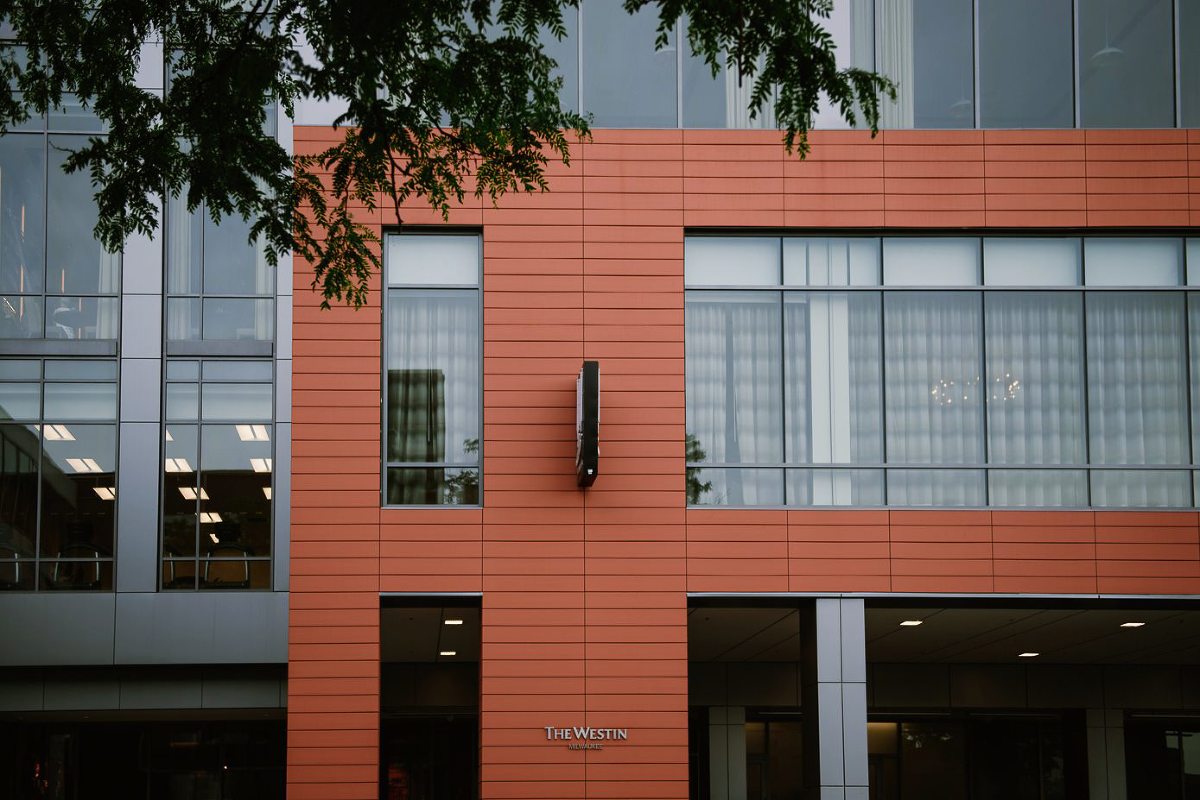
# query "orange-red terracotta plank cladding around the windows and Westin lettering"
(585, 593)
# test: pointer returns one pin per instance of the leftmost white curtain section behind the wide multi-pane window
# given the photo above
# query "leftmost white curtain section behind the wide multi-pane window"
(735, 382)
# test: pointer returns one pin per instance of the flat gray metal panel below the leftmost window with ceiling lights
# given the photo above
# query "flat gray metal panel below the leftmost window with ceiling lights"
(57, 629)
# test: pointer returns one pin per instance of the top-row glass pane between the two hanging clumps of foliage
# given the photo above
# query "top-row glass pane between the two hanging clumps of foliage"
(634, 87)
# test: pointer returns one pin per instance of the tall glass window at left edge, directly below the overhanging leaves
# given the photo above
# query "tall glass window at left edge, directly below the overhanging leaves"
(56, 280)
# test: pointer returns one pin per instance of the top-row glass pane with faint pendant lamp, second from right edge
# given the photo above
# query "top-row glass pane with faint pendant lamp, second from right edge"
(1126, 64)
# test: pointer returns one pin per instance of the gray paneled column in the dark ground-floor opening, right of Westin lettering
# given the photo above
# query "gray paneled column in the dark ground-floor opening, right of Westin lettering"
(835, 700)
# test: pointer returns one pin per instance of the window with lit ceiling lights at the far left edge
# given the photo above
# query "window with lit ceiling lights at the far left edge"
(58, 474)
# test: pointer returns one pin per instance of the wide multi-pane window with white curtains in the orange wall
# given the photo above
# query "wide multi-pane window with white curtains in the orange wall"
(950, 371)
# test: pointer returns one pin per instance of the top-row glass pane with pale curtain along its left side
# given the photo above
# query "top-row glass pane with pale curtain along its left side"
(927, 47)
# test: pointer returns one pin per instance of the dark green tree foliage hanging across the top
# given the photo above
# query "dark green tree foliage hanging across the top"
(443, 99)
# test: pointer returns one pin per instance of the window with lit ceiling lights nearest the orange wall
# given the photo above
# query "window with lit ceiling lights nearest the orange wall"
(219, 465)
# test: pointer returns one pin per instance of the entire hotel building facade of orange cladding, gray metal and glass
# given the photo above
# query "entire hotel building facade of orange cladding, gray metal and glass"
(898, 462)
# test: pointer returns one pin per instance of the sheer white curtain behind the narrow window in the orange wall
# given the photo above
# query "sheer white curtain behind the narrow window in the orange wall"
(439, 332)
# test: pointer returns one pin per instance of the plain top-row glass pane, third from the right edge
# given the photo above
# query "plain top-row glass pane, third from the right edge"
(1025, 64)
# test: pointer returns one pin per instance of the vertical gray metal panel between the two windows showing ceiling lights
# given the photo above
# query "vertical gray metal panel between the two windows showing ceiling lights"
(137, 508)
